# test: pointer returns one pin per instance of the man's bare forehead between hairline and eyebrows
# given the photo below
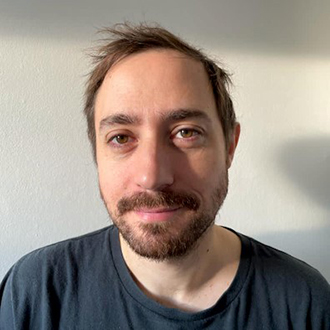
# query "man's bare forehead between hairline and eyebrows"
(152, 82)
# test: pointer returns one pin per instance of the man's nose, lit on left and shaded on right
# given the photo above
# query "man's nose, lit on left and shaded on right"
(153, 166)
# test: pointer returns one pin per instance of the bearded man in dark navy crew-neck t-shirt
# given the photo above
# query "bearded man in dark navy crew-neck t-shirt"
(164, 133)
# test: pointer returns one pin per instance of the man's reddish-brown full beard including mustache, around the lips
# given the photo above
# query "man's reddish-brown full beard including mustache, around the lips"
(169, 239)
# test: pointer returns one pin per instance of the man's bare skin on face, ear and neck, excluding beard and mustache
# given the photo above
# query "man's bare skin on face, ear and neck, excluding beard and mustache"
(153, 152)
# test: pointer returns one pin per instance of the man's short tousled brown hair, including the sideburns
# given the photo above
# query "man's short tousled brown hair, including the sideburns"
(125, 39)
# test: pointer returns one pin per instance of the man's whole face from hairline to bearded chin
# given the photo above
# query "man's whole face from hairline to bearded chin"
(161, 155)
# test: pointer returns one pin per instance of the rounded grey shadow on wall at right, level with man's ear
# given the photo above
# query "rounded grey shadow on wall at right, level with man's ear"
(306, 162)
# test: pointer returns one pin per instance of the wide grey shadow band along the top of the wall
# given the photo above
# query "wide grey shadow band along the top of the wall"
(258, 26)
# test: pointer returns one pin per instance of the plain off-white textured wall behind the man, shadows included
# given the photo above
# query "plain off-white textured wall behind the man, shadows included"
(279, 55)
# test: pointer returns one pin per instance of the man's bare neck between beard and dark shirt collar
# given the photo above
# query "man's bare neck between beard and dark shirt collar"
(188, 283)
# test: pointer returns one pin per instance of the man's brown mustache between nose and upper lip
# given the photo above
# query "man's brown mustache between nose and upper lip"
(159, 199)
